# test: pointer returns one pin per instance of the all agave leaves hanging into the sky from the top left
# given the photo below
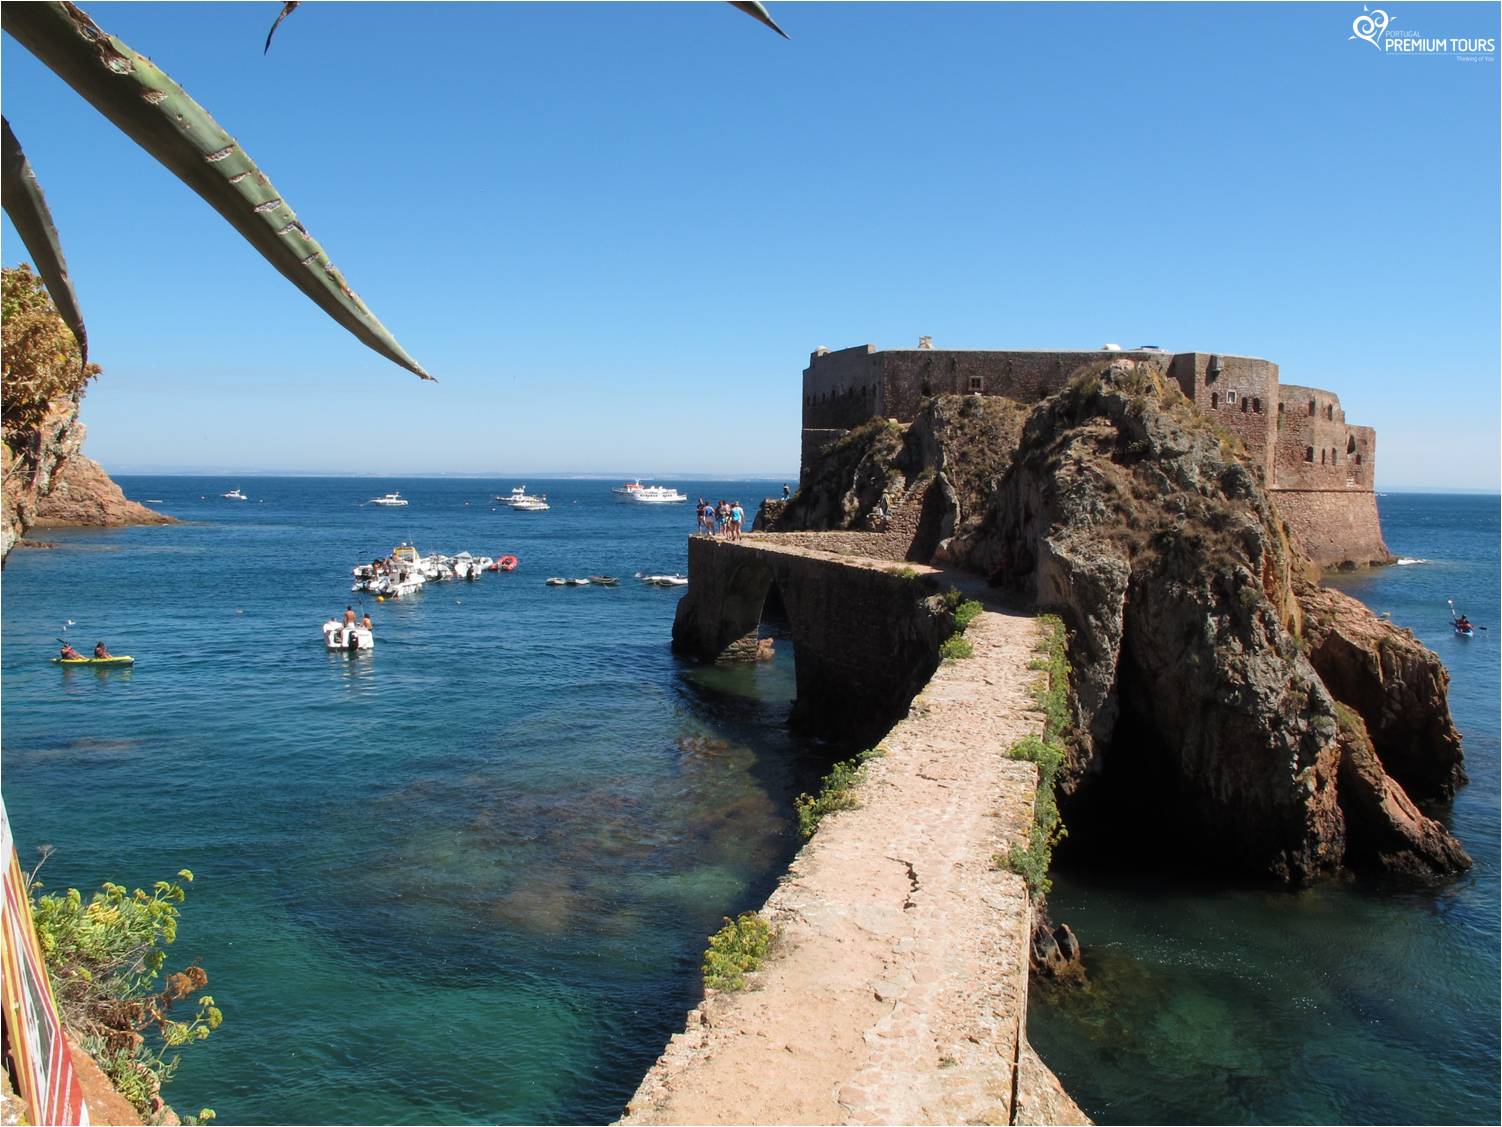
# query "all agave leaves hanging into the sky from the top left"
(158, 115)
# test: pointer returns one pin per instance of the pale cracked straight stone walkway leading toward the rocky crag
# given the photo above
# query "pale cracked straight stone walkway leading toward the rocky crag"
(897, 988)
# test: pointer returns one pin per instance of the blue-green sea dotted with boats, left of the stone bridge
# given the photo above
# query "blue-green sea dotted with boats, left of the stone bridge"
(466, 878)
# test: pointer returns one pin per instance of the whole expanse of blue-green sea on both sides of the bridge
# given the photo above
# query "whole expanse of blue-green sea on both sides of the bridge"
(468, 878)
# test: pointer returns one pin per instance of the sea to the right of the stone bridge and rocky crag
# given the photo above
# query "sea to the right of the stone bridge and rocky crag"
(1356, 1002)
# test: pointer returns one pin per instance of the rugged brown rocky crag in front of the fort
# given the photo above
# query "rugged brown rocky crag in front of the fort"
(1244, 718)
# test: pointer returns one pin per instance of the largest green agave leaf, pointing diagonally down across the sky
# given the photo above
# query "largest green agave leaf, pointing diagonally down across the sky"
(155, 113)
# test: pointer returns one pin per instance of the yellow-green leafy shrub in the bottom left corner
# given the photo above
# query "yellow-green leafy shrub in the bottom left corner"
(104, 959)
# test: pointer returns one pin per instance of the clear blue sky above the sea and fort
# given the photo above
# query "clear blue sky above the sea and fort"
(615, 232)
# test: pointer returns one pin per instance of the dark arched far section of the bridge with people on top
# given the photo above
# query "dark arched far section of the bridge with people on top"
(866, 636)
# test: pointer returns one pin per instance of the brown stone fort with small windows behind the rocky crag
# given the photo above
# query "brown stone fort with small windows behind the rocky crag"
(1317, 467)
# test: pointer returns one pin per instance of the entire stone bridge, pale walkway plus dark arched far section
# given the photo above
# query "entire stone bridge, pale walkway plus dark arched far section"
(896, 990)
